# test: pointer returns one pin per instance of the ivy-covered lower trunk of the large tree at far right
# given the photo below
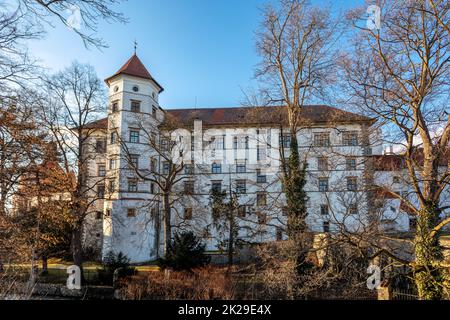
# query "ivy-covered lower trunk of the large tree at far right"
(427, 274)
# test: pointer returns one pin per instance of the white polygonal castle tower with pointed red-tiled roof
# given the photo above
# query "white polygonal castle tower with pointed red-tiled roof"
(133, 112)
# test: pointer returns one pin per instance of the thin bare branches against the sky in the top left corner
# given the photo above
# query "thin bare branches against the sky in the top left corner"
(22, 20)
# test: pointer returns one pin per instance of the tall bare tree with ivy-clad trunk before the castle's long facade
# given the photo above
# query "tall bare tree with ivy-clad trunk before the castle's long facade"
(295, 44)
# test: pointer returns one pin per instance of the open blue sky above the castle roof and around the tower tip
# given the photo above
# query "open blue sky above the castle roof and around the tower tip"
(197, 49)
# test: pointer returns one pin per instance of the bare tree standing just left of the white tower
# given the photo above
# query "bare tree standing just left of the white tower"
(75, 99)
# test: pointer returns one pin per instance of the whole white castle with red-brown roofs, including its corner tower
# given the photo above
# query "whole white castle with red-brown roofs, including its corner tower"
(239, 152)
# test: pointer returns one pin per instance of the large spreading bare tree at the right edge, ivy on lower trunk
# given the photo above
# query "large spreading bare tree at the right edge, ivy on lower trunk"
(400, 75)
